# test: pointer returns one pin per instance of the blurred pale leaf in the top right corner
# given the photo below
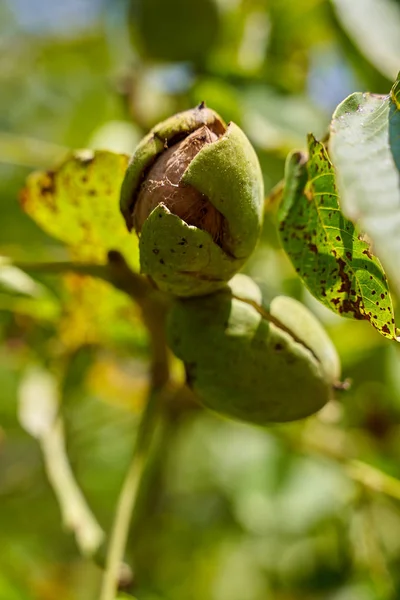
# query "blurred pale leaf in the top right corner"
(374, 27)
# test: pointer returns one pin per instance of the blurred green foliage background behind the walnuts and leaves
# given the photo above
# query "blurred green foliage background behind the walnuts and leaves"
(230, 512)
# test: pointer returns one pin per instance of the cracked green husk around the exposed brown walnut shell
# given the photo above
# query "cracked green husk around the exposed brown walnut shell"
(183, 259)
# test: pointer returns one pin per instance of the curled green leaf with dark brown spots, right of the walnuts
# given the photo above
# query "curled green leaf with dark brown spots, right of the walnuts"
(337, 267)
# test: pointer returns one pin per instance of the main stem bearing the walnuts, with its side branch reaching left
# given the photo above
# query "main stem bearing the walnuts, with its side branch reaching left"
(153, 306)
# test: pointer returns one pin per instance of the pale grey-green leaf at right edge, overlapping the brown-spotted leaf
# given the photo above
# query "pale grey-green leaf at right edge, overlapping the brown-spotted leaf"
(365, 149)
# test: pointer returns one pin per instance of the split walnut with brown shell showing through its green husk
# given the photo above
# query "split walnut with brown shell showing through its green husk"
(193, 191)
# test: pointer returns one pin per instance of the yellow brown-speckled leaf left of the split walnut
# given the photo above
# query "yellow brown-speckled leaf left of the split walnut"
(78, 203)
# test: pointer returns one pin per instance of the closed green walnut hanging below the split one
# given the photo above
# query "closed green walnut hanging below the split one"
(251, 364)
